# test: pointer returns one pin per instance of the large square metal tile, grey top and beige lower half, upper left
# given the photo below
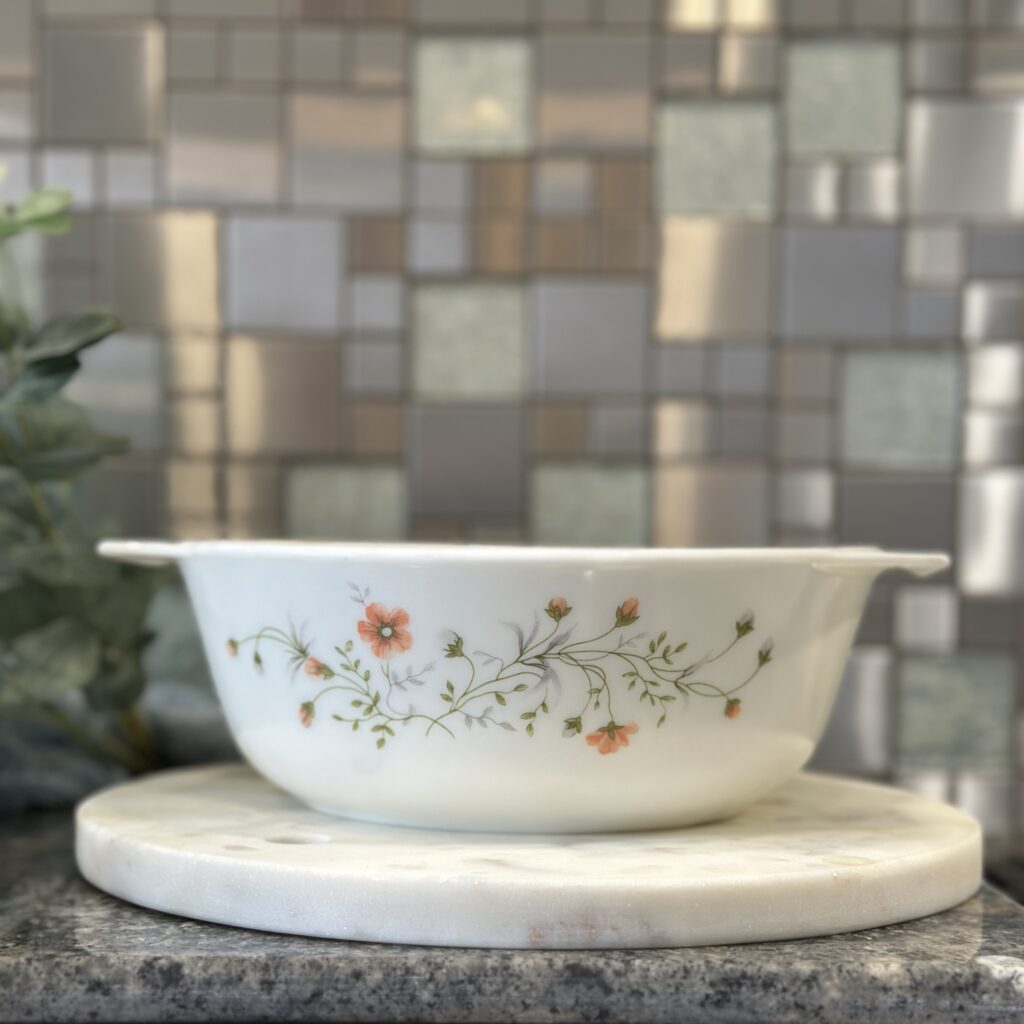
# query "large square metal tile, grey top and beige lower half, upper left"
(224, 147)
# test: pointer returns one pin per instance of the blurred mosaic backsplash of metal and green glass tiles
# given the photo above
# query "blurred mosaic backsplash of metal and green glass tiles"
(601, 272)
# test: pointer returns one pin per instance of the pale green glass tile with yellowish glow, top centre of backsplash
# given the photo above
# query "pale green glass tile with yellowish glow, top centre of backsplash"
(474, 96)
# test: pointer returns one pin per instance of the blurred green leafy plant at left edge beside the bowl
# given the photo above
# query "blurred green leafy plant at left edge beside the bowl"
(72, 625)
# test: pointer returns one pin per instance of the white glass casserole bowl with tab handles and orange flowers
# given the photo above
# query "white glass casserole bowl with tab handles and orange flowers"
(526, 690)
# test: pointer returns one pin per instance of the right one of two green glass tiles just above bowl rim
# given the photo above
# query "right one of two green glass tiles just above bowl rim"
(581, 504)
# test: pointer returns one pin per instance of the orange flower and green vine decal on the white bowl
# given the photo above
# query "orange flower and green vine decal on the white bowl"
(596, 677)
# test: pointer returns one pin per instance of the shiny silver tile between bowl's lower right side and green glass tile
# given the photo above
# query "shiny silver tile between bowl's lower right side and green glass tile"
(858, 739)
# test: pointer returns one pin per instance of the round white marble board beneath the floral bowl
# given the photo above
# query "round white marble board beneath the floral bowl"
(823, 856)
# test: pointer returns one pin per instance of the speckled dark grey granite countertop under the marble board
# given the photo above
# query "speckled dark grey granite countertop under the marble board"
(69, 953)
